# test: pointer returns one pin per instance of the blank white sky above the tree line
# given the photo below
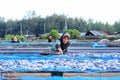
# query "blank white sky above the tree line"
(98, 10)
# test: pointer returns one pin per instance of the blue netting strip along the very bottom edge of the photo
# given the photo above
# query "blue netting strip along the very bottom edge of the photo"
(72, 78)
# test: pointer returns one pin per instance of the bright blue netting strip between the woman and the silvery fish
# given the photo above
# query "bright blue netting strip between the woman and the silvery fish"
(37, 56)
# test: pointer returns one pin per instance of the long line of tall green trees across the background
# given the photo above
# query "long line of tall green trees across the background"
(32, 24)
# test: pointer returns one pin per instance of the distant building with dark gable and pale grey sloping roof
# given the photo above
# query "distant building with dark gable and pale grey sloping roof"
(95, 33)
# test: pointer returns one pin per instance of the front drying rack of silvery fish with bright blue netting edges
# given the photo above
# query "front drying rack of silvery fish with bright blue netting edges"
(77, 62)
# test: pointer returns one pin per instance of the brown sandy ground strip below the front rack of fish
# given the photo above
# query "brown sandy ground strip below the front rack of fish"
(13, 76)
